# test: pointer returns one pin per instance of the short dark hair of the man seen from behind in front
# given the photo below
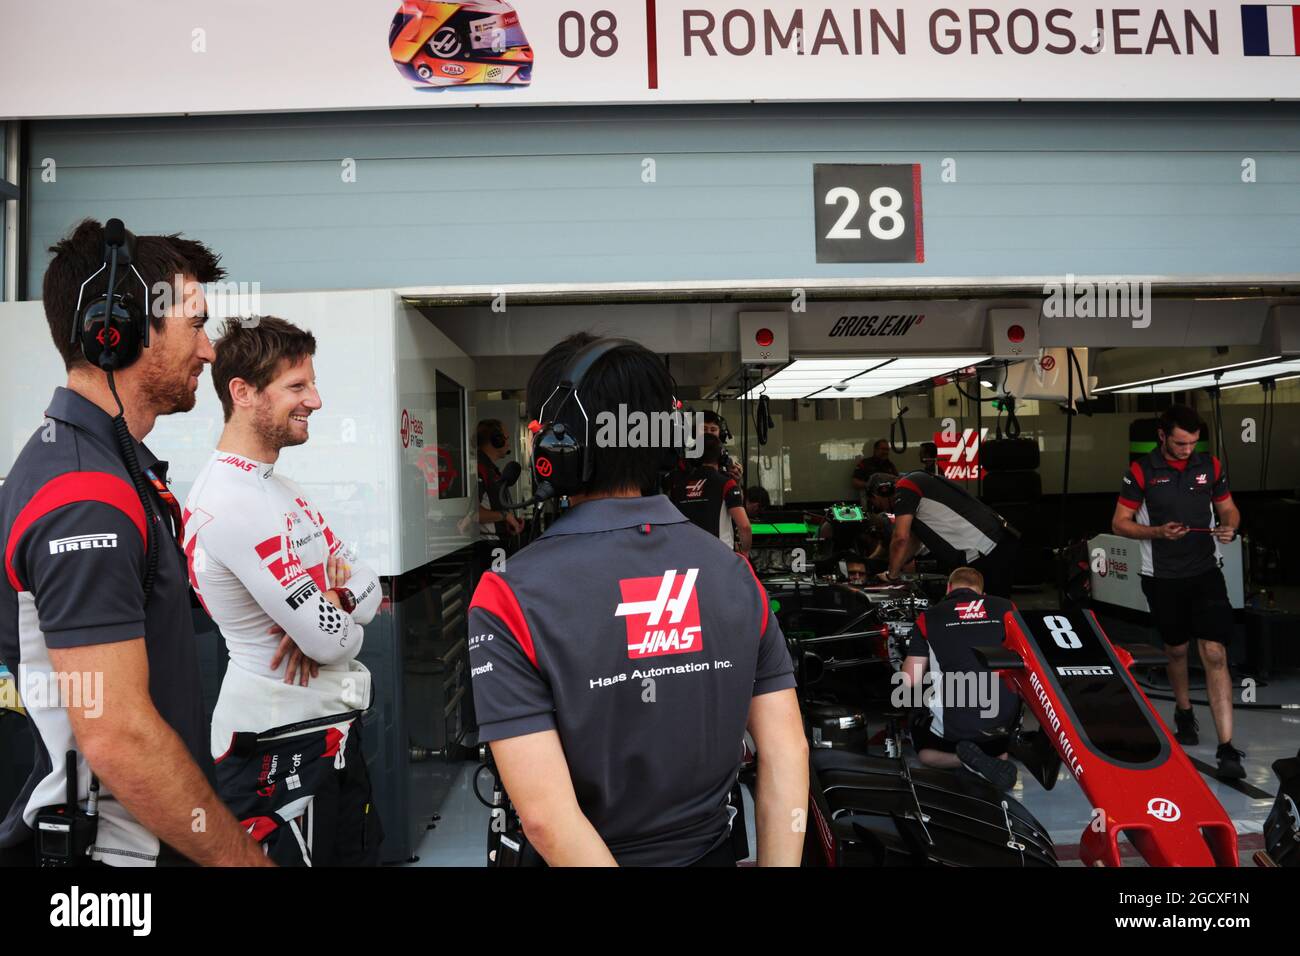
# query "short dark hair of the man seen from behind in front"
(629, 375)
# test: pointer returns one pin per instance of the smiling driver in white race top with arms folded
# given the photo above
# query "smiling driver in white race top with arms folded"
(291, 607)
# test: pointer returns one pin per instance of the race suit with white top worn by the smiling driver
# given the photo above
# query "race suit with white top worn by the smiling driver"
(289, 758)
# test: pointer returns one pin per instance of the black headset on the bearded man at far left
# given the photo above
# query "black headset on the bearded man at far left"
(114, 328)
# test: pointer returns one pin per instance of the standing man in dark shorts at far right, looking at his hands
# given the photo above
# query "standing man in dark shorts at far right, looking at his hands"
(1171, 501)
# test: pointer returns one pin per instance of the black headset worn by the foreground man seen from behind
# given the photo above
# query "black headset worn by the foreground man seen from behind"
(562, 443)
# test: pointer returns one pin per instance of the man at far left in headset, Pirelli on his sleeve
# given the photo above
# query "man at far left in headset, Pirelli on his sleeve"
(80, 535)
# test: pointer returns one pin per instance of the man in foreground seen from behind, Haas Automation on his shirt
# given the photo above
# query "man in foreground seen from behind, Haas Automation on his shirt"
(619, 660)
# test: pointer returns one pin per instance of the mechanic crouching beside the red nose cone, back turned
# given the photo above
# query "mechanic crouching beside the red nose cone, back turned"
(968, 715)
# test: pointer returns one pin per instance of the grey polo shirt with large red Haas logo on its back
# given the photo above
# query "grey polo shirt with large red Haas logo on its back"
(642, 641)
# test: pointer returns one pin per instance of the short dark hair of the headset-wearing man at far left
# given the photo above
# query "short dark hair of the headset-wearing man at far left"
(81, 253)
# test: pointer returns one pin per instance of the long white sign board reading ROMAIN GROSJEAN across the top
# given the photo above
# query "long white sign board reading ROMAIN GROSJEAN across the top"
(185, 57)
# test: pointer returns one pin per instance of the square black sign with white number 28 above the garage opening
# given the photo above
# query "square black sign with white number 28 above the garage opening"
(868, 214)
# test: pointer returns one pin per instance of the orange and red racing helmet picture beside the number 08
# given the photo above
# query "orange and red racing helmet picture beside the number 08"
(437, 45)
